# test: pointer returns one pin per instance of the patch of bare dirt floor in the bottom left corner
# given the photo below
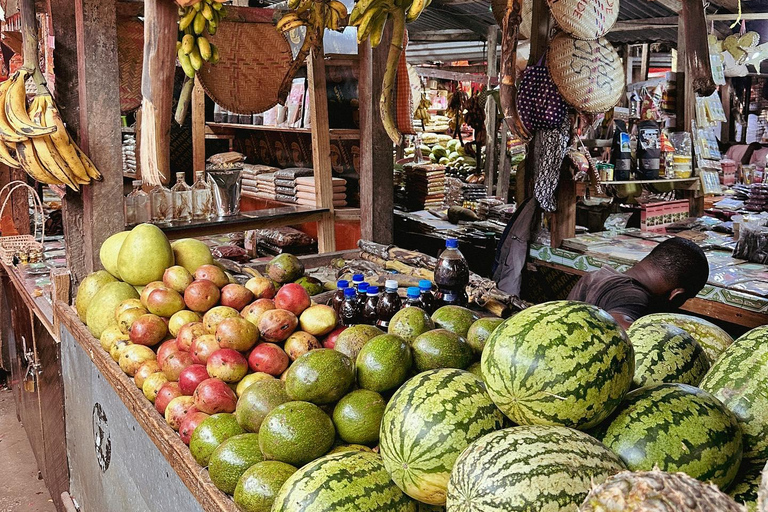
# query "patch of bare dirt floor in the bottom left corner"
(22, 486)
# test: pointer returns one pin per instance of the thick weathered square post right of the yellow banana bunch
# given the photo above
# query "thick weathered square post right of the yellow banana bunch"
(101, 212)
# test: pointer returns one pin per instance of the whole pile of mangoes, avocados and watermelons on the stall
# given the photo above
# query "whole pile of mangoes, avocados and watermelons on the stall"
(544, 411)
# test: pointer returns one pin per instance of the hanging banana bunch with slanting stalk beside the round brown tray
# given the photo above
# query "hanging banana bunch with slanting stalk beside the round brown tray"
(316, 16)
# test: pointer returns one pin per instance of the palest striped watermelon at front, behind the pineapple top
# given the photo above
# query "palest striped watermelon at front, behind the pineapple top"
(528, 468)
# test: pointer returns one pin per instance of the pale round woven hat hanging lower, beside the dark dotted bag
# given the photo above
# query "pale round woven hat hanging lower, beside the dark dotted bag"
(588, 74)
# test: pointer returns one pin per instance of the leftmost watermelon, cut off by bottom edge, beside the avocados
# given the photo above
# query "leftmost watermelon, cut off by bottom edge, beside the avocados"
(342, 482)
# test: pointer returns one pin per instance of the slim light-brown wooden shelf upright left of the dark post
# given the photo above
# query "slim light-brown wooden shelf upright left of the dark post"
(321, 150)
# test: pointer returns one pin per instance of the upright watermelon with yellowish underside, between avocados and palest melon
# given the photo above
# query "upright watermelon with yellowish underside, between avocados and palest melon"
(427, 424)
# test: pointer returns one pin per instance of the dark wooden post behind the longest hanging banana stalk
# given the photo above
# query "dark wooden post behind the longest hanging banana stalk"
(376, 179)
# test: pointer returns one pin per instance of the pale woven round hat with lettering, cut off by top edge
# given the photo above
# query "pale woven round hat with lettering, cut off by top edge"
(585, 19)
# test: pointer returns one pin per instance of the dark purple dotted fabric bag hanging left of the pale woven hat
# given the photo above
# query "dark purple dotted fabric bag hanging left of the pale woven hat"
(539, 103)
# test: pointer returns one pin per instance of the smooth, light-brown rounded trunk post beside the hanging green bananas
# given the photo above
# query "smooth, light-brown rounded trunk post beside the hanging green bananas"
(160, 33)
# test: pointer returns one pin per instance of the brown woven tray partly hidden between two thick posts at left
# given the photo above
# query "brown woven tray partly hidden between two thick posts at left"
(130, 58)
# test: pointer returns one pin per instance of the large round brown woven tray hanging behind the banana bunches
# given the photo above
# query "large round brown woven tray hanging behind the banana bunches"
(254, 60)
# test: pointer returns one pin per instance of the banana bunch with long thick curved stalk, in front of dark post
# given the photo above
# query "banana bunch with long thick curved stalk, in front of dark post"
(370, 17)
